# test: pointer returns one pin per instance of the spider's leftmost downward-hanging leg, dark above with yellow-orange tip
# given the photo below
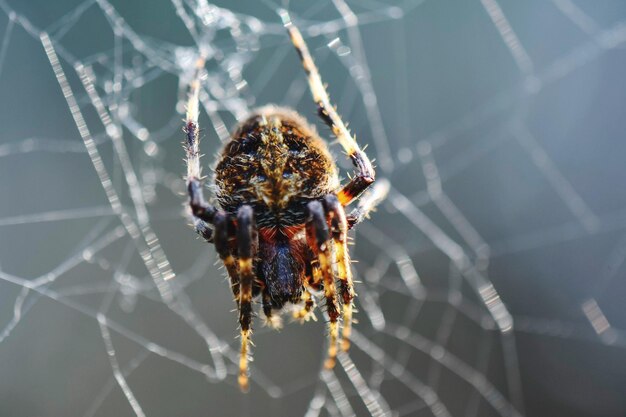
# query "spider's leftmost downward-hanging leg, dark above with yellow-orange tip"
(247, 242)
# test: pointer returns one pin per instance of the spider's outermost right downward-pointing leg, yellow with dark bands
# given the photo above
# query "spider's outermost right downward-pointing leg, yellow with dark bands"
(339, 233)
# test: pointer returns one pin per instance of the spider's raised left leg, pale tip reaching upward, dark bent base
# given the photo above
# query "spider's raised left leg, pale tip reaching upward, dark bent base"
(200, 209)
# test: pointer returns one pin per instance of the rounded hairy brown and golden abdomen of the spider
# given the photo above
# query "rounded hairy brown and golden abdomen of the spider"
(275, 162)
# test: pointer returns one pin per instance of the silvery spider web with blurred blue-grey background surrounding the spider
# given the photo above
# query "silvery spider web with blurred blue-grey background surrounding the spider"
(491, 279)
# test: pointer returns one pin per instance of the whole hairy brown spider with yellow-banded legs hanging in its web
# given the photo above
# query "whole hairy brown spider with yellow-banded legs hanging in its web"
(279, 226)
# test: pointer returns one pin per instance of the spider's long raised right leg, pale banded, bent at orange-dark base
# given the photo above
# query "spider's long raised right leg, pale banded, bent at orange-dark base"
(364, 171)
